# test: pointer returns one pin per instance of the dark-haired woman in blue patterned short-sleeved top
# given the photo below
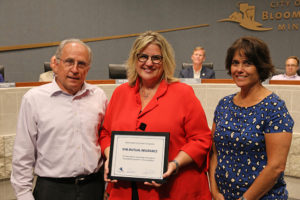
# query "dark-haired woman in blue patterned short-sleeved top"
(252, 130)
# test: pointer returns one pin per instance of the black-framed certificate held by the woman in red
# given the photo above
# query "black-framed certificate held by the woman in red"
(138, 156)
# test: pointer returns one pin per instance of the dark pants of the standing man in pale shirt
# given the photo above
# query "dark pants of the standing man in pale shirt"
(54, 189)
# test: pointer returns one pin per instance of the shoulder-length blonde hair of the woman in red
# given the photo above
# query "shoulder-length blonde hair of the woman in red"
(168, 61)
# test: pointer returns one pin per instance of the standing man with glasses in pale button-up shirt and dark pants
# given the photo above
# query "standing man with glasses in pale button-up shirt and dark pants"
(57, 133)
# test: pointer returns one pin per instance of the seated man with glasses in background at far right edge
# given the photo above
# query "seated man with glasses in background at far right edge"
(291, 67)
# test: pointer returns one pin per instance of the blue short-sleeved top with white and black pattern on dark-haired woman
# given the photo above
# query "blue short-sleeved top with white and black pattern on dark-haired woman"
(240, 143)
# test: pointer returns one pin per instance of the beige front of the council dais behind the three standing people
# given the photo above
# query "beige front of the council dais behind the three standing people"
(208, 94)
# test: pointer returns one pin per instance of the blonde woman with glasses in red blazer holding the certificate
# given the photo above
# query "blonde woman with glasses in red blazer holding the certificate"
(154, 98)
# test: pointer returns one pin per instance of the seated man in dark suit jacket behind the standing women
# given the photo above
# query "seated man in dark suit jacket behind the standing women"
(197, 70)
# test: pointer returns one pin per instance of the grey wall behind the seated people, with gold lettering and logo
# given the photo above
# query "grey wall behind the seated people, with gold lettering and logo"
(40, 21)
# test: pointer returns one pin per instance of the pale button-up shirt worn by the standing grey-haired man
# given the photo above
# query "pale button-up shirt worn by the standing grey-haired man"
(57, 135)
